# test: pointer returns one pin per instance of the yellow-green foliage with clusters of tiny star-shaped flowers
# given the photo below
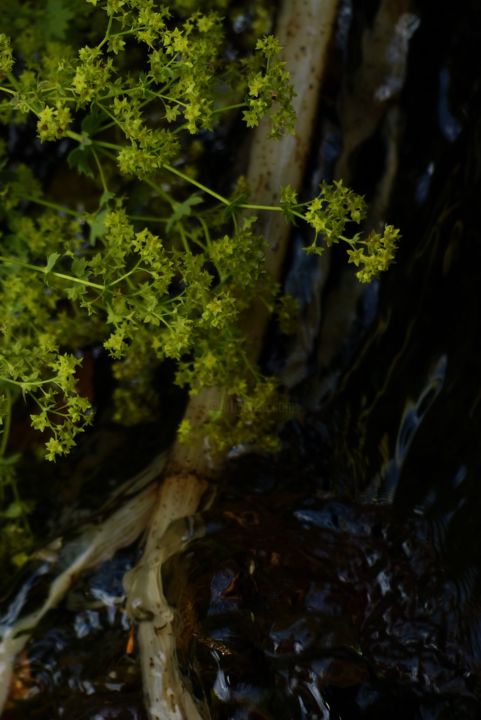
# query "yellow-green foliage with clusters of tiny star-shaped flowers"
(146, 260)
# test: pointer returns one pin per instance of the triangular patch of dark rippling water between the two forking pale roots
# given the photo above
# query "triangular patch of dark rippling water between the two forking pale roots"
(81, 661)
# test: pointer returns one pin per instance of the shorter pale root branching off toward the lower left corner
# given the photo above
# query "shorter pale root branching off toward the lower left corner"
(96, 543)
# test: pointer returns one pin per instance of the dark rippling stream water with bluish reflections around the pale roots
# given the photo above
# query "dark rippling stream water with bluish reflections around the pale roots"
(342, 579)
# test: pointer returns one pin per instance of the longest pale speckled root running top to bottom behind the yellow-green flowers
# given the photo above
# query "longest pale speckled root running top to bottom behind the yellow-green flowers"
(304, 30)
